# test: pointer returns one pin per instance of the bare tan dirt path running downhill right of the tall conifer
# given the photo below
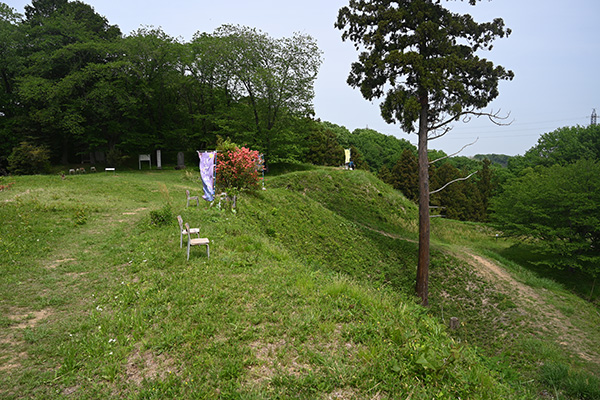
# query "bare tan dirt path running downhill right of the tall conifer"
(536, 305)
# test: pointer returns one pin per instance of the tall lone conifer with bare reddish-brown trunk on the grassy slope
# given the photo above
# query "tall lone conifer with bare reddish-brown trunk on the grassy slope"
(422, 59)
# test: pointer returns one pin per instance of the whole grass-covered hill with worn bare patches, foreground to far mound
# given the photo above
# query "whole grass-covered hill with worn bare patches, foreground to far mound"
(308, 294)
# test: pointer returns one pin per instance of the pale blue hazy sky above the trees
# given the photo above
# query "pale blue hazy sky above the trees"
(554, 51)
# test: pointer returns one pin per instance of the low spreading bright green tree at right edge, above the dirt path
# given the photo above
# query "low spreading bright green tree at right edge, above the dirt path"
(558, 207)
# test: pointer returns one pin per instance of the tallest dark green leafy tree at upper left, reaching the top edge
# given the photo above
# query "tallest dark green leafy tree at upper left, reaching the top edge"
(63, 39)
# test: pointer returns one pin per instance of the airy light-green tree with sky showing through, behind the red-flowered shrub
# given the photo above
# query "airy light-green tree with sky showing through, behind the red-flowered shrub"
(275, 76)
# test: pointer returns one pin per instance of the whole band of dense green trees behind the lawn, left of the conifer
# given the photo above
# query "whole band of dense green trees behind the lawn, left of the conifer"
(73, 82)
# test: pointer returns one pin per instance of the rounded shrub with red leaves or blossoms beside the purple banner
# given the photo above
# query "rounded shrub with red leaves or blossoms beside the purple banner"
(236, 169)
